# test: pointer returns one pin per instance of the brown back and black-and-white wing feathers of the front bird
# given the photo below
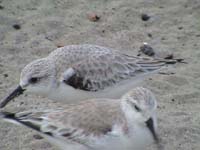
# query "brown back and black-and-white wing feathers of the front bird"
(68, 123)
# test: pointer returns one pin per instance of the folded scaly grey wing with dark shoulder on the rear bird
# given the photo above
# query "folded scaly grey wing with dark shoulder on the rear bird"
(93, 74)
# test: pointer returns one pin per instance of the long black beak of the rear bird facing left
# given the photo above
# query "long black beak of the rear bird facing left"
(18, 91)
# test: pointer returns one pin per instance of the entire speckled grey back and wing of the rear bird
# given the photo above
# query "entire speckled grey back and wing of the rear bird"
(98, 67)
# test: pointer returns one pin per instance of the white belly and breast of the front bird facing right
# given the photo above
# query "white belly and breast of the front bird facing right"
(138, 139)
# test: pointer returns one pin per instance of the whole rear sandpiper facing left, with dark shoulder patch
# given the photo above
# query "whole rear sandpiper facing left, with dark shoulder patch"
(79, 72)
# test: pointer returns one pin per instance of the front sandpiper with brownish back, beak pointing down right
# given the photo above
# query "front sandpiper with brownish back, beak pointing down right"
(128, 123)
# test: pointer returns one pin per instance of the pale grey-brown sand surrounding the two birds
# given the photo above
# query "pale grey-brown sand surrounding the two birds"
(174, 27)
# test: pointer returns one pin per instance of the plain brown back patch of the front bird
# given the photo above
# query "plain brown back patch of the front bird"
(97, 119)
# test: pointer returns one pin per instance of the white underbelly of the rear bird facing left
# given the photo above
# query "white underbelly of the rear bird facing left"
(68, 94)
